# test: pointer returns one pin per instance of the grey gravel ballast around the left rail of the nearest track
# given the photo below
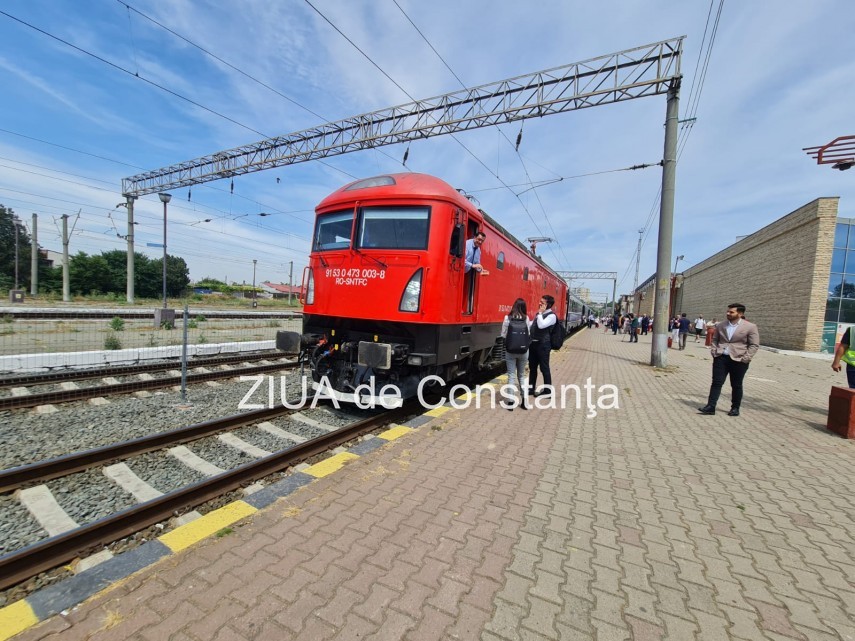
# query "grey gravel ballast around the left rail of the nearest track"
(27, 437)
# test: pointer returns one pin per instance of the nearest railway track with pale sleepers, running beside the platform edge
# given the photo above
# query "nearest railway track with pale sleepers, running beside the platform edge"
(64, 546)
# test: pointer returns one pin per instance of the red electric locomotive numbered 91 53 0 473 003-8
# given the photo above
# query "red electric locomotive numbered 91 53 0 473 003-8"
(386, 300)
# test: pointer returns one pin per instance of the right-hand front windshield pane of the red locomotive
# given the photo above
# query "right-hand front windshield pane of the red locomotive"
(393, 227)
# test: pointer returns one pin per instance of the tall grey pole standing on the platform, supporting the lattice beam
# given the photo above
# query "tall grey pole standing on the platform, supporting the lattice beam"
(659, 347)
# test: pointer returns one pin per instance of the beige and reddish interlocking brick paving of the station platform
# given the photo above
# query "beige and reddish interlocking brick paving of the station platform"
(645, 522)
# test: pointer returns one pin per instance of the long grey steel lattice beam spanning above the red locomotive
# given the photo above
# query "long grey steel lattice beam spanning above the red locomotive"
(634, 73)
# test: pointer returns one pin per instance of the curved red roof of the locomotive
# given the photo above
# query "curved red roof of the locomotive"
(424, 185)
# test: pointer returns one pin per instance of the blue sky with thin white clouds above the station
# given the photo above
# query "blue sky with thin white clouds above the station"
(99, 90)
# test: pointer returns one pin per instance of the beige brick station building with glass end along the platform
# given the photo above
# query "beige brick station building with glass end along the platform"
(795, 276)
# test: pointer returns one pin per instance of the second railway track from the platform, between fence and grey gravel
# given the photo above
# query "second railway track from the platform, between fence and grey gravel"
(29, 391)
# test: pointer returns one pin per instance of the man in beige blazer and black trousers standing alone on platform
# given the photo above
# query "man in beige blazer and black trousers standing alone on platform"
(734, 344)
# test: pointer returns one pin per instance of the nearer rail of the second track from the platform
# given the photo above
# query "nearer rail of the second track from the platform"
(67, 396)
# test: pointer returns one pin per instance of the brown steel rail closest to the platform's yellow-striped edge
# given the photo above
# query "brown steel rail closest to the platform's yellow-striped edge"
(25, 563)
